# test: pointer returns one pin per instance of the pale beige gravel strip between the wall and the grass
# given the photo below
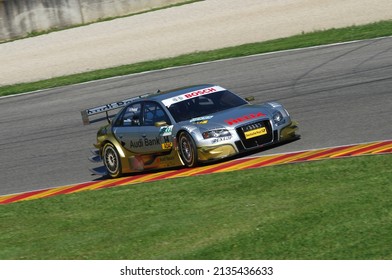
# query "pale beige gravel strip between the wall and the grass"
(200, 26)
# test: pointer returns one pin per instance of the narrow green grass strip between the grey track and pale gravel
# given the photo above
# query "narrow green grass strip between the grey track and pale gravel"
(375, 30)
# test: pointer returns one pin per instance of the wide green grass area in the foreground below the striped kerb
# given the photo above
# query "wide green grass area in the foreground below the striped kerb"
(333, 209)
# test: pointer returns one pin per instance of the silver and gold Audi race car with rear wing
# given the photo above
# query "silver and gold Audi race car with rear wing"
(185, 127)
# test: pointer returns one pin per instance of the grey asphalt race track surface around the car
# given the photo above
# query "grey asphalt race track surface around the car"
(340, 95)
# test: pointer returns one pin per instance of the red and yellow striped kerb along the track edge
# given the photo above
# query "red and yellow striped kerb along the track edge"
(383, 147)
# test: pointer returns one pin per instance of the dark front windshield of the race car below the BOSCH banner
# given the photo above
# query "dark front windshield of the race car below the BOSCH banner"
(205, 105)
